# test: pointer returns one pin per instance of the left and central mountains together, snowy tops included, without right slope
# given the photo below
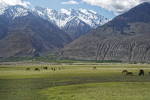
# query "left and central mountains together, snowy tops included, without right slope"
(33, 31)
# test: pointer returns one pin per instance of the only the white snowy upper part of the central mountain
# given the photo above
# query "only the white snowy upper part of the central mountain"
(63, 16)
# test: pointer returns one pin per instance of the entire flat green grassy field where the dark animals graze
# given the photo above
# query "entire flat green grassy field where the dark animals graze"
(74, 82)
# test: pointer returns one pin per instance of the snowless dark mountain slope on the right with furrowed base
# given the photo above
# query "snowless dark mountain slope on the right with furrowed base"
(125, 38)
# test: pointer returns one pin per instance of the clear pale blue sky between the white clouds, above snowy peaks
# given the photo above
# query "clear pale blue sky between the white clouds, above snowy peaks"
(57, 4)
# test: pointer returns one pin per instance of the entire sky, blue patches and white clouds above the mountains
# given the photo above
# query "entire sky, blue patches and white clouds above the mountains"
(108, 8)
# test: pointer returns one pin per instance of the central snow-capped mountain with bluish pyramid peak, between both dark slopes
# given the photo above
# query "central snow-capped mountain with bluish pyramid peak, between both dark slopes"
(74, 22)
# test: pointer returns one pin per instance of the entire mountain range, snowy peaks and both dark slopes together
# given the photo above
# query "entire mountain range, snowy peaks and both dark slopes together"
(77, 34)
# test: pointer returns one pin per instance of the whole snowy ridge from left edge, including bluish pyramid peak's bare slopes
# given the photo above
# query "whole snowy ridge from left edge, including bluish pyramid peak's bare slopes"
(74, 22)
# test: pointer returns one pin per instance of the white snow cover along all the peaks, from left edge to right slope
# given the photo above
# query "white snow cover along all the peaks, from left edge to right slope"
(60, 18)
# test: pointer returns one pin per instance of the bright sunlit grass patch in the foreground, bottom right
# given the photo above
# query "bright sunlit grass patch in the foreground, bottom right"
(100, 91)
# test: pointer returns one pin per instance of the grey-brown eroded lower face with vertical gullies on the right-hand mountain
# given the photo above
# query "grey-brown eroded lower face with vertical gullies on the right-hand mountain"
(129, 49)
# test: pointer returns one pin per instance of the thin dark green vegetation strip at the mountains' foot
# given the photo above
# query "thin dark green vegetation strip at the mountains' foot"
(53, 59)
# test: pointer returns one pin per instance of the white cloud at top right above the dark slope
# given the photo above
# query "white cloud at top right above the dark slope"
(117, 6)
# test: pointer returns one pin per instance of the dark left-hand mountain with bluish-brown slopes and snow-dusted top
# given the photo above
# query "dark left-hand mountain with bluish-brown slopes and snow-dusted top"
(22, 33)
